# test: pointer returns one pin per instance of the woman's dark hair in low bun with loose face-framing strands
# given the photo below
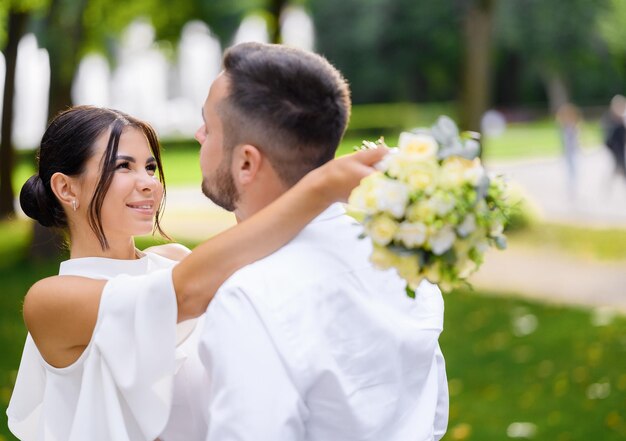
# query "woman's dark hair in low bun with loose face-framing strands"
(66, 146)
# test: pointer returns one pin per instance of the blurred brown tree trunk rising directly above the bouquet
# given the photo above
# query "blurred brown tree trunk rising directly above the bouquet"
(477, 30)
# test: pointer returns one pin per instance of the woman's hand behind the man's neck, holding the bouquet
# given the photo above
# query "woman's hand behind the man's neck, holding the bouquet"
(336, 179)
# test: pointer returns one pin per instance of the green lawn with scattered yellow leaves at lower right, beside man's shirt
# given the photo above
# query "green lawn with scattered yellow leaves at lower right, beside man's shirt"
(567, 377)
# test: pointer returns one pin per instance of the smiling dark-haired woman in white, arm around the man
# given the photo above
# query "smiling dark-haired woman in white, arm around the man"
(107, 367)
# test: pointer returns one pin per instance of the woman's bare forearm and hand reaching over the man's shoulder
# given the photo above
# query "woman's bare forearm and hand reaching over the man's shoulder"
(200, 274)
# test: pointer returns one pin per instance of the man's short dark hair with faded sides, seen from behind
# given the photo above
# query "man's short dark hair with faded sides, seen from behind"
(291, 104)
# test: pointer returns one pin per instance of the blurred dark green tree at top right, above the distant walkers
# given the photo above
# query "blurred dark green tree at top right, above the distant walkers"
(559, 42)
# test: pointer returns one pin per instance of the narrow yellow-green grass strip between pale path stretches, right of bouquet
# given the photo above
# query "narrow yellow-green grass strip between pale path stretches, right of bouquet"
(586, 243)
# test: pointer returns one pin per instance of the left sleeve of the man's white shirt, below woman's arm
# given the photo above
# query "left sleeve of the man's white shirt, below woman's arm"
(252, 395)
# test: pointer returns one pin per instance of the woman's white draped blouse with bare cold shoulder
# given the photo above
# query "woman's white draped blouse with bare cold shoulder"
(122, 386)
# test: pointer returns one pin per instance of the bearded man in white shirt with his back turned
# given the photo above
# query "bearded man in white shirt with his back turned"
(311, 342)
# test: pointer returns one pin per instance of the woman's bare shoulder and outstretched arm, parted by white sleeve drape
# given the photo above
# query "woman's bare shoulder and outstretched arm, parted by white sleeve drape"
(61, 311)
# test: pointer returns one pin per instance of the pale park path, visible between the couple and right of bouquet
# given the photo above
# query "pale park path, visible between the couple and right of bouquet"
(537, 273)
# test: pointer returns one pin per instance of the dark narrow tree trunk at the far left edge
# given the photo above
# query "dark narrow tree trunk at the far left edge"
(17, 24)
